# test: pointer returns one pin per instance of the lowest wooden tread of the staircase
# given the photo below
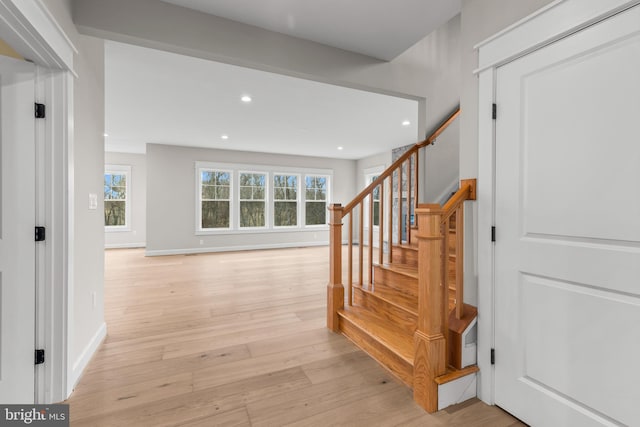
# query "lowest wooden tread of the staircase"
(394, 338)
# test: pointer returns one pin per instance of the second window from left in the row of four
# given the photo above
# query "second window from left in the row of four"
(252, 199)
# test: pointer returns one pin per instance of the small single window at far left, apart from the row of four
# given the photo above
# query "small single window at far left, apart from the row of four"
(116, 198)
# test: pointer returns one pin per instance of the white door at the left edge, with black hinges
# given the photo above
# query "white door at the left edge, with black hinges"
(17, 246)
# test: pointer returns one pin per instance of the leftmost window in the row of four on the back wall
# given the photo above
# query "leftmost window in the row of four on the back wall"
(215, 193)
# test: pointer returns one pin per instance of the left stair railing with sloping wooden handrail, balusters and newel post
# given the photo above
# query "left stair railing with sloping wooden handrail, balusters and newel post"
(387, 206)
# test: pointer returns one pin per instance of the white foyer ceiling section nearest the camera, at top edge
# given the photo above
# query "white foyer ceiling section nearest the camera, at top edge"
(382, 29)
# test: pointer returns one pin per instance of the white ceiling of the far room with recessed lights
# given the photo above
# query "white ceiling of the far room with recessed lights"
(160, 97)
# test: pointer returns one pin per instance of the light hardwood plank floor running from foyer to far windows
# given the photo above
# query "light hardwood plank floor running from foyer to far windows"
(238, 339)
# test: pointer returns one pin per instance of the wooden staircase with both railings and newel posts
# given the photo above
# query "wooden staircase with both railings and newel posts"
(404, 302)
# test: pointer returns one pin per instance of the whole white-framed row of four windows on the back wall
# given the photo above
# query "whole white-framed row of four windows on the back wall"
(244, 198)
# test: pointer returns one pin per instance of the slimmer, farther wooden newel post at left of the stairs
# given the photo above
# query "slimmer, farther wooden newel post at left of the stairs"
(335, 290)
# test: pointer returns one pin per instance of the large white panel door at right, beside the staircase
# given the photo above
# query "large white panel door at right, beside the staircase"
(567, 255)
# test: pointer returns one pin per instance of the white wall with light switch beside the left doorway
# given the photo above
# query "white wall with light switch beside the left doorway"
(86, 279)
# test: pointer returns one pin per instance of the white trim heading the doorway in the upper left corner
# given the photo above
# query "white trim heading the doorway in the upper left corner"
(35, 34)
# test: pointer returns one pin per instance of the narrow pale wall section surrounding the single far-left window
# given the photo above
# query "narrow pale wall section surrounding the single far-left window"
(136, 236)
